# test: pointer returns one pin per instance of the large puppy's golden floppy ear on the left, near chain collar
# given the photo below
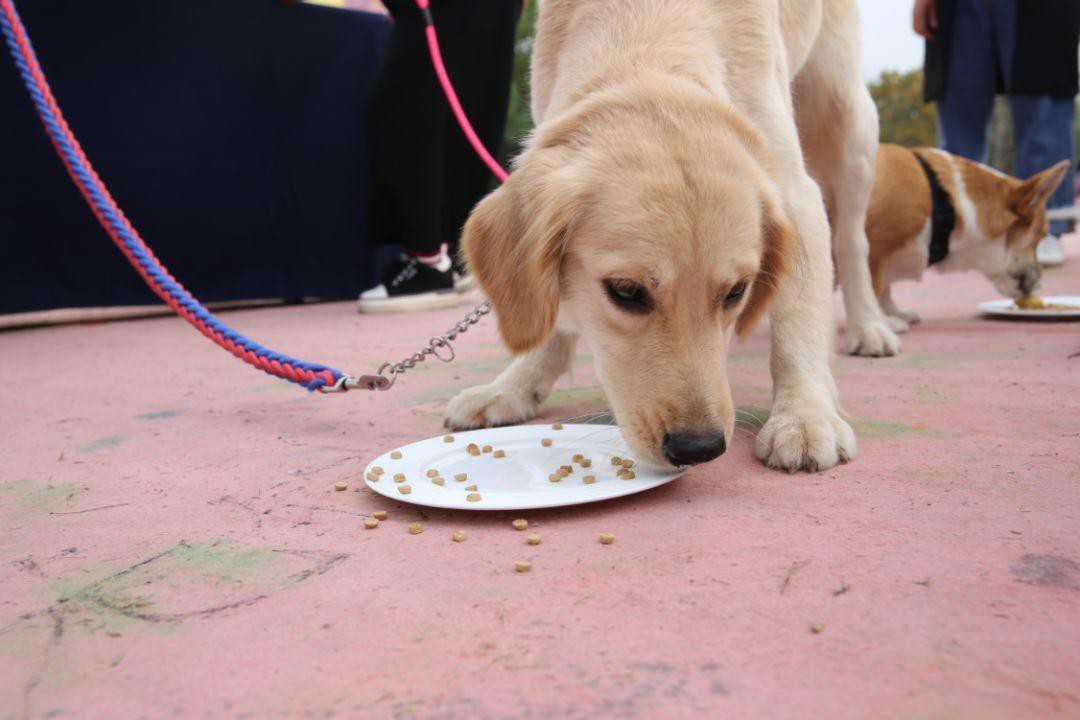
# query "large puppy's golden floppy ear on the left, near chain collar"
(514, 242)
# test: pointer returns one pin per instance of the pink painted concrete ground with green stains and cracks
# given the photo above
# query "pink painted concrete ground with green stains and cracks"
(172, 545)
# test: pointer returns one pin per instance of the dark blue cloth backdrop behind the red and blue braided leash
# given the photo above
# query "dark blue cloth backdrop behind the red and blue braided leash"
(231, 133)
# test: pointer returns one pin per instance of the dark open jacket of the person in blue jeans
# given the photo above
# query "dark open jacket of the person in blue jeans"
(1045, 62)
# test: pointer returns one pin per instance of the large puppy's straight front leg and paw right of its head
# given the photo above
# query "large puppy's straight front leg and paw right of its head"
(805, 430)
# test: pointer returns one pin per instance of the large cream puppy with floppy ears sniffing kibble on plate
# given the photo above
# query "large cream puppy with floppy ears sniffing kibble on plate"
(666, 200)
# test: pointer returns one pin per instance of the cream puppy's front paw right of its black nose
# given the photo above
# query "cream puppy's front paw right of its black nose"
(813, 438)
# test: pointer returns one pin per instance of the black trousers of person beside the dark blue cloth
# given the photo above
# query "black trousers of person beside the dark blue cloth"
(425, 176)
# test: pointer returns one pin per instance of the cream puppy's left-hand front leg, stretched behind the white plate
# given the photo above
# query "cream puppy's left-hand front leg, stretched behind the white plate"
(517, 395)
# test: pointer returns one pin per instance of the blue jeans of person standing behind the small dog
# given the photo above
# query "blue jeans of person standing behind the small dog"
(1043, 126)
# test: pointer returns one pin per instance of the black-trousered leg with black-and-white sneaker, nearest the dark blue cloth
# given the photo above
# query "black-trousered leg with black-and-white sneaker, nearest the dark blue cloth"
(407, 157)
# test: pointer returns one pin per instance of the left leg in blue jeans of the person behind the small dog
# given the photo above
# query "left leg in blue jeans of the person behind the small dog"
(964, 114)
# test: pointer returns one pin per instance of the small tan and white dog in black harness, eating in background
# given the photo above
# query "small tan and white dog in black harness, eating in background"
(997, 223)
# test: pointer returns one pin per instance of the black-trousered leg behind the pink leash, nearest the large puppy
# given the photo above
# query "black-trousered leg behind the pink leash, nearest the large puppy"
(480, 58)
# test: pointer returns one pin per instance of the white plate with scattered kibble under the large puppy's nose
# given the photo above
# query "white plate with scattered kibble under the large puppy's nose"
(520, 481)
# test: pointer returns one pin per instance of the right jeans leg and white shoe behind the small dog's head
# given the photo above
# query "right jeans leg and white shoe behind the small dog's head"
(1044, 128)
